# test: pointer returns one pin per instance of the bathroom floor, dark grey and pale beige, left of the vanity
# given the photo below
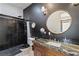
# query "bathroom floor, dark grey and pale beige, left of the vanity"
(17, 51)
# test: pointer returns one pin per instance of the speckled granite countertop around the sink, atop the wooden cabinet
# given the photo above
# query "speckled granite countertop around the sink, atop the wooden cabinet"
(68, 49)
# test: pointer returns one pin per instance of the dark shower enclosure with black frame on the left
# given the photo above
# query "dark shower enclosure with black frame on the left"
(11, 31)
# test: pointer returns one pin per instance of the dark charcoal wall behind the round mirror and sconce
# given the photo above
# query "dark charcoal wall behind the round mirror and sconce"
(36, 15)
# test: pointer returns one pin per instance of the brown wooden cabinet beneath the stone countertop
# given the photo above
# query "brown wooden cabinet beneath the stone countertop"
(40, 50)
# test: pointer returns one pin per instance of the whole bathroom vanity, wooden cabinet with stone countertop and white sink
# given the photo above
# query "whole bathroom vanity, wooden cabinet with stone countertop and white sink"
(44, 47)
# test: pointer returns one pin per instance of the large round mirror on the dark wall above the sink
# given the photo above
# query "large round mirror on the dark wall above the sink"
(59, 22)
